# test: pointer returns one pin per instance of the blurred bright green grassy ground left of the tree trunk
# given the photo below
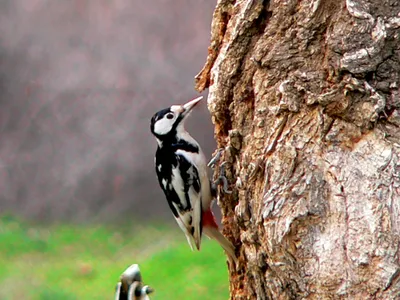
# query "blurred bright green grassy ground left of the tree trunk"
(65, 262)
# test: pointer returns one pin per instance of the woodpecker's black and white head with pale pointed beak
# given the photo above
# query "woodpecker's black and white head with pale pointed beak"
(170, 121)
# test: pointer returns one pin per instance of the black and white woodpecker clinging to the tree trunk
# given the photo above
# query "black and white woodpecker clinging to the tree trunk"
(181, 169)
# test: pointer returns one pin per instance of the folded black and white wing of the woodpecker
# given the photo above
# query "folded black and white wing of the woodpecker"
(186, 185)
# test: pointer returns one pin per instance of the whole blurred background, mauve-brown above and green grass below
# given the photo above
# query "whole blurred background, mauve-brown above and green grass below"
(79, 82)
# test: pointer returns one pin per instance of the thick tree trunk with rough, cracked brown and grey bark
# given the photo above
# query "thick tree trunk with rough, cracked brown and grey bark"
(304, 96)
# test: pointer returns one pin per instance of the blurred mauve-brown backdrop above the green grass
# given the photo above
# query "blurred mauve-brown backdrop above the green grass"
(79, 82)
